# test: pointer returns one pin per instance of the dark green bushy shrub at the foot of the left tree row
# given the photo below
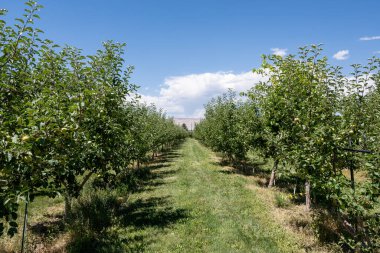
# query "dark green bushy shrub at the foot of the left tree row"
(93, 220)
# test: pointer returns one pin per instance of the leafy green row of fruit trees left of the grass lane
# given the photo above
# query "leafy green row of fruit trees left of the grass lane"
(66, 117)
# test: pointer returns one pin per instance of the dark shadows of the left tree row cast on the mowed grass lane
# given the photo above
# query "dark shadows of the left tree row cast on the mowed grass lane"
(139, 216)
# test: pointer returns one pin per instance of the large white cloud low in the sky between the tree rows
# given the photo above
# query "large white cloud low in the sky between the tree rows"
(185, 96)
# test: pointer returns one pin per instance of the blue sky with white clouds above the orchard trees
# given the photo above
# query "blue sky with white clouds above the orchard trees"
(185, 52)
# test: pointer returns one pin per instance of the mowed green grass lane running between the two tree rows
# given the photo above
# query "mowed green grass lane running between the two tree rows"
(194, 205)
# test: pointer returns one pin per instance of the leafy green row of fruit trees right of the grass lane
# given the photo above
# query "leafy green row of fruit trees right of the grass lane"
(319, 127)
